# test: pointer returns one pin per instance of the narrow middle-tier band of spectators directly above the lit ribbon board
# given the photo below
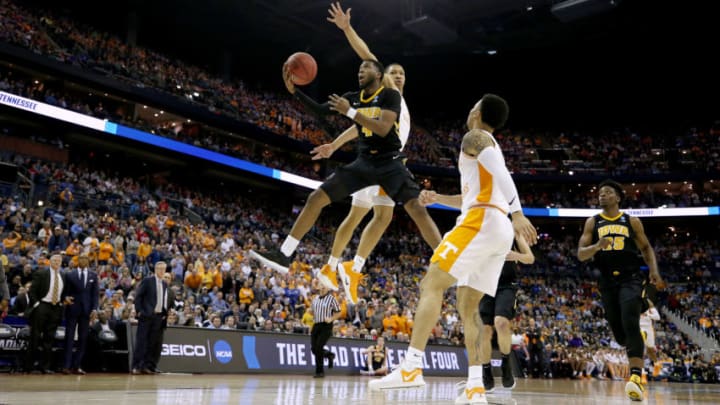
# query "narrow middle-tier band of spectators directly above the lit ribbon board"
(533, 194)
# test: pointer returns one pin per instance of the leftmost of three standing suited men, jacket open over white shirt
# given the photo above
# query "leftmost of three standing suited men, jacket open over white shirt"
(47, 297)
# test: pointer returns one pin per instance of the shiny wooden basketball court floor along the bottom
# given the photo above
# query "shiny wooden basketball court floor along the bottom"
(167, 389)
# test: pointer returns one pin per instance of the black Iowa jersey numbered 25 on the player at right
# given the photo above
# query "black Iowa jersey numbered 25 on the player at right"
(622, 255)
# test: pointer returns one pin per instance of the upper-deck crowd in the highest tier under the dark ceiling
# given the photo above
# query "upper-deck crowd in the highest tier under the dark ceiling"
(620, 152)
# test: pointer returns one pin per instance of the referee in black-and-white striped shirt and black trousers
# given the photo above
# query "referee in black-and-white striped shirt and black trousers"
(326, 310)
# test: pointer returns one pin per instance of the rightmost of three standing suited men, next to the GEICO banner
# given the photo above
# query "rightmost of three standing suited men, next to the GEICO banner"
(151, 305)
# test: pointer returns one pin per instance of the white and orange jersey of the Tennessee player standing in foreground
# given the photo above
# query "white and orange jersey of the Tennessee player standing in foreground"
(479, 186)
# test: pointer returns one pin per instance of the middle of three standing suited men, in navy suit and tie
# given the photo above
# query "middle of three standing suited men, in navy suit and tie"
(82, 286)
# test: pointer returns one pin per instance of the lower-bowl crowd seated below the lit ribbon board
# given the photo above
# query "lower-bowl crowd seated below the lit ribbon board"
(560, 330)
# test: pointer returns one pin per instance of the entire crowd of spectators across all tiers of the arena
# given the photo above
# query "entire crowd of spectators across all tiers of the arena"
(560, 331)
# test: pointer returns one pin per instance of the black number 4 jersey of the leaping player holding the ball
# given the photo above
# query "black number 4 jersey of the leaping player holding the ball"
(370, 105)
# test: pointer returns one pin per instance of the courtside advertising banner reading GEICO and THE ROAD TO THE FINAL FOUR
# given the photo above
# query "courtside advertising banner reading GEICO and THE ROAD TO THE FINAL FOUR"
(196, 350)
